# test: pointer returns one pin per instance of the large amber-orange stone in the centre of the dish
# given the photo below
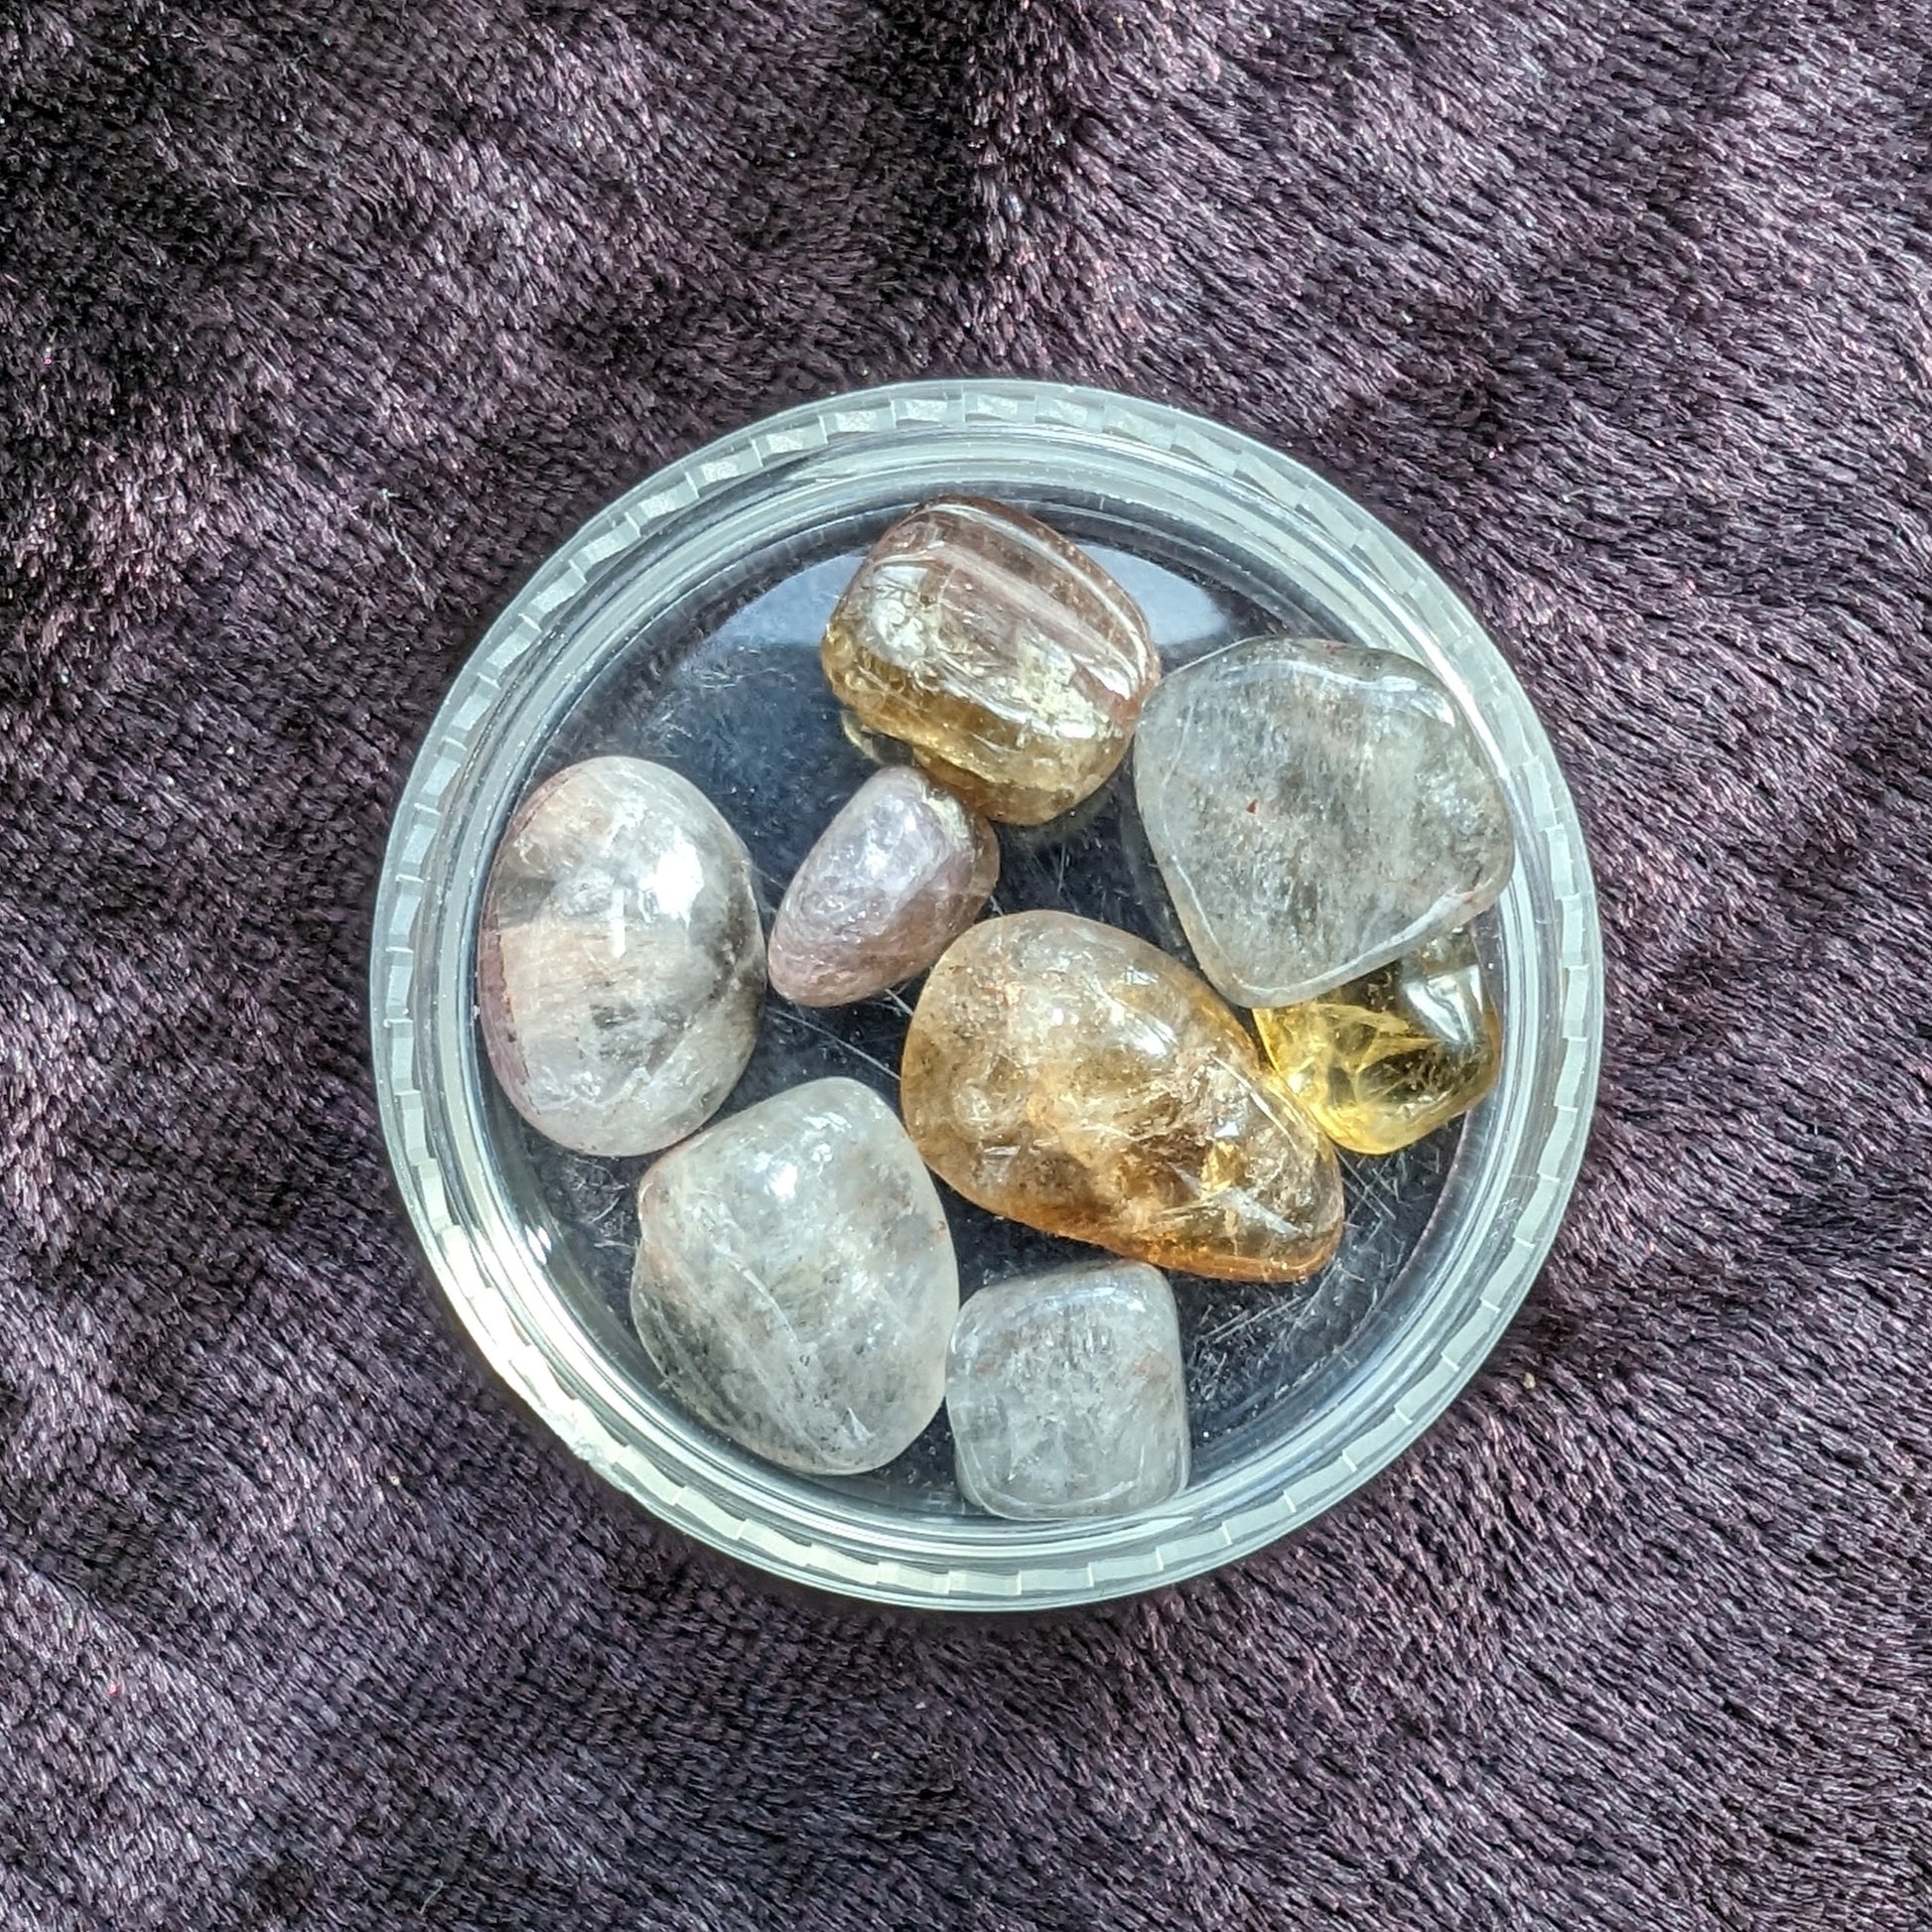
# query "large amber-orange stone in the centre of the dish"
(1075, 1079)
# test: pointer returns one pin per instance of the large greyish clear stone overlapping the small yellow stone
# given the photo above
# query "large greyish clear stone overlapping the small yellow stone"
(1317, 812)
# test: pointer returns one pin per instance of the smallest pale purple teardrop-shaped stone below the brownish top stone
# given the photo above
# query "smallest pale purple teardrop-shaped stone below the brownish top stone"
(897, 876)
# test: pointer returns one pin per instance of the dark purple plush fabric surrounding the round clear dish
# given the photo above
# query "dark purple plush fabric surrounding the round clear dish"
(322, 324)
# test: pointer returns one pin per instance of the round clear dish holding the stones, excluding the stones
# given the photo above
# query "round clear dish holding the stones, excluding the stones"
(683, 625)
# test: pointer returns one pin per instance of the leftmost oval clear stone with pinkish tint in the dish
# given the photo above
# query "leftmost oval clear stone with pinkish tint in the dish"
(619, 959)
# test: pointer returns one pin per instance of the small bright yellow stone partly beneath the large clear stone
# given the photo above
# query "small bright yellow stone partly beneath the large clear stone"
(1392, 1056)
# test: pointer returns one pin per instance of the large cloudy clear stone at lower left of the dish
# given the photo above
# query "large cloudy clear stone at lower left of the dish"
(795, 1280)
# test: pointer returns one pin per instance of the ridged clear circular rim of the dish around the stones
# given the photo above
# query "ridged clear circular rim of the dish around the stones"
(1510, 1183)
